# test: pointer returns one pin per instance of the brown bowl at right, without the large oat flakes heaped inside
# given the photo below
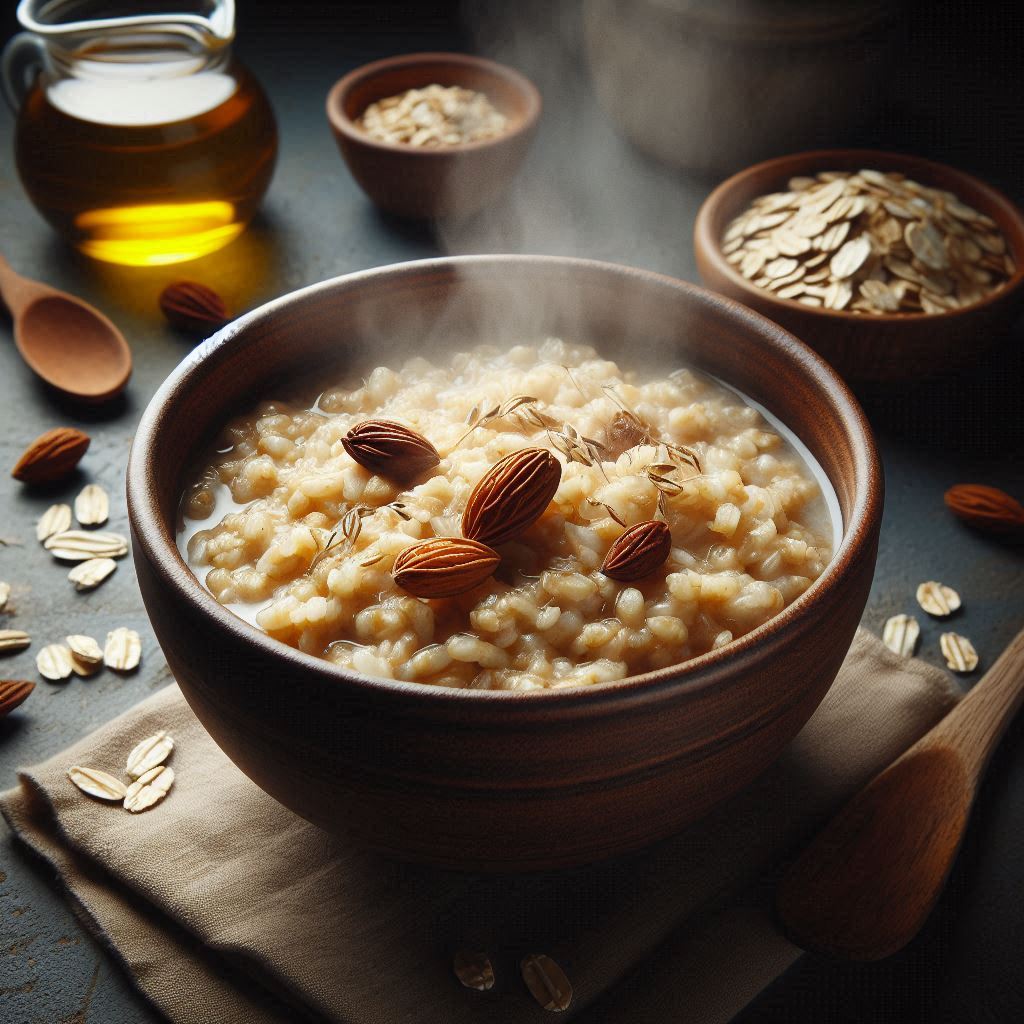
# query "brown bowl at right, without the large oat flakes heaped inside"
(865, 349)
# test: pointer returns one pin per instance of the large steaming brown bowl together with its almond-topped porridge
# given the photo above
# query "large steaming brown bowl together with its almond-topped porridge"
(497, 583)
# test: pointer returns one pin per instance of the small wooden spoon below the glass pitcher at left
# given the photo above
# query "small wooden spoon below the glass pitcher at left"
(72, 346)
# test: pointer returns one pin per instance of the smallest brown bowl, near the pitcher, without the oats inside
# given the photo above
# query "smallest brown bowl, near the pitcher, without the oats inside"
(451, 181)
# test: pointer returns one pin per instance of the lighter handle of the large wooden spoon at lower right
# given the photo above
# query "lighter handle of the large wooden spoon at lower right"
(976, 724)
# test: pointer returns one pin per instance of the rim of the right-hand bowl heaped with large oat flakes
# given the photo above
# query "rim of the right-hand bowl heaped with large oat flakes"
(708, 244)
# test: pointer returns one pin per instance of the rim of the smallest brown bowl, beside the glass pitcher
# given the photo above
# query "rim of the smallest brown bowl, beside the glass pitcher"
(344, 124)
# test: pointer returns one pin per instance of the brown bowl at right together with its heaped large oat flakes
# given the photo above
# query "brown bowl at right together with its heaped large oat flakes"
(891, 267)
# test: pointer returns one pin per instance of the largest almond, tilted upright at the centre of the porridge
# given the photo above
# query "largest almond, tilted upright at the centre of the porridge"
(511, 496)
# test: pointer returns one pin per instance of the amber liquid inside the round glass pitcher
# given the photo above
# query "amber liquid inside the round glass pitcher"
(148, 173)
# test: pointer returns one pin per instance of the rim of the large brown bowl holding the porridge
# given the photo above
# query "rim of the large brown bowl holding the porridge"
(158, 540)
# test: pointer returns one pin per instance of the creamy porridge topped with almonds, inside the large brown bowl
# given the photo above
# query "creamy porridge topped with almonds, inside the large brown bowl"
(525, 520)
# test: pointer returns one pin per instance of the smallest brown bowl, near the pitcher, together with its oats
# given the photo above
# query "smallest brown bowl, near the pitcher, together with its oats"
(431, 136)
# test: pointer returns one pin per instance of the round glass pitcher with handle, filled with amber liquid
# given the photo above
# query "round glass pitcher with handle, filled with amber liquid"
(139, 137)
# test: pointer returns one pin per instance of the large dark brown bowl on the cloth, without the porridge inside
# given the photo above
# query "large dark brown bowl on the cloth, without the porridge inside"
(500, 780)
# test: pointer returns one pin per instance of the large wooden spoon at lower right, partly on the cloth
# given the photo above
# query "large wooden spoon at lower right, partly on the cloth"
(866, 885)
